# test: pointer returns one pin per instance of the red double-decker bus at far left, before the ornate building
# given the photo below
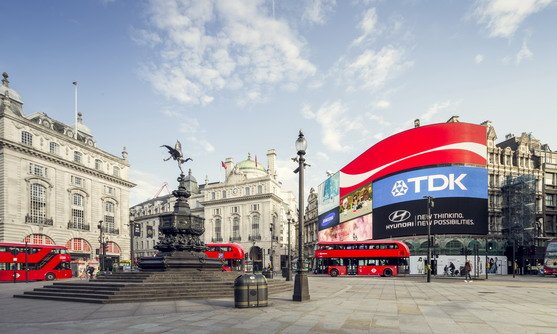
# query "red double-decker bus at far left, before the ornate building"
(20, 262)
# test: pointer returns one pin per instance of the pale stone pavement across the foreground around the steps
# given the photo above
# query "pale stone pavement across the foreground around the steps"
(500, 304)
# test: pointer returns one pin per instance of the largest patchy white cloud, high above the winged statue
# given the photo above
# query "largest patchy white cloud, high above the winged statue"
(206, 47)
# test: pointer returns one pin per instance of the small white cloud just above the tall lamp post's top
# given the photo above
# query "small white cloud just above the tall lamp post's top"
(334, 124)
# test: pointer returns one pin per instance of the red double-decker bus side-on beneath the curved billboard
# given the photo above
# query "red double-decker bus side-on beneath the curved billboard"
(381, 258)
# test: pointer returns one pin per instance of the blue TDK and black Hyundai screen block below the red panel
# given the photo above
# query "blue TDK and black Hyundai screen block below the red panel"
(460, 202)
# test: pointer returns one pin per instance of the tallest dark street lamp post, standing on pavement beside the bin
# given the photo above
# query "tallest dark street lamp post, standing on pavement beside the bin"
(301, 285)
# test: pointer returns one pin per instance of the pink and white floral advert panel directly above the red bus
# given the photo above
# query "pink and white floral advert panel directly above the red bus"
(356, 229)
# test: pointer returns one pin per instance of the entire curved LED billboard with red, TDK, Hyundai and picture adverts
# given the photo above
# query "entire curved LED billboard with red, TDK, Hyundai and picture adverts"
(391, 178)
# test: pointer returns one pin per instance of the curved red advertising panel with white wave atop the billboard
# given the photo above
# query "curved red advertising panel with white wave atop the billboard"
(445, 143)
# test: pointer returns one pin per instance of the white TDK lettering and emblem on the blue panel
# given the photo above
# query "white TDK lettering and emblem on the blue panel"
(437, 182)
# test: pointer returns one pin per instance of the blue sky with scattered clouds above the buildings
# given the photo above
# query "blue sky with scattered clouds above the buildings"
(228, 78)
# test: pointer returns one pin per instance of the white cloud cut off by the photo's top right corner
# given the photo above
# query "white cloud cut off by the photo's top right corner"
(503, 17)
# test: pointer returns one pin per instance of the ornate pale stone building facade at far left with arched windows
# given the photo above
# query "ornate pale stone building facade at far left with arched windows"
(57, 186)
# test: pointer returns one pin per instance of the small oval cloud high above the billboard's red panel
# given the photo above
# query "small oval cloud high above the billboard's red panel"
(371, 70)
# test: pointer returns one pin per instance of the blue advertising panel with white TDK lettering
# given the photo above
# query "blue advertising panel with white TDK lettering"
(439, 182)
